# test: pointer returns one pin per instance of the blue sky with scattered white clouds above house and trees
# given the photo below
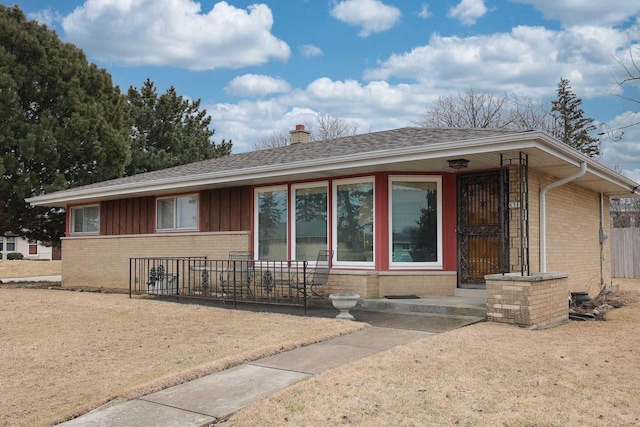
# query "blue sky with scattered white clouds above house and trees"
(261, 68)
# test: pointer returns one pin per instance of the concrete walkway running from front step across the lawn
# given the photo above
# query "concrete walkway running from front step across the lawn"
(213, 397)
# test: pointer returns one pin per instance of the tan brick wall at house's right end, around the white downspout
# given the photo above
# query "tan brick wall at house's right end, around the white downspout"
(573, 220)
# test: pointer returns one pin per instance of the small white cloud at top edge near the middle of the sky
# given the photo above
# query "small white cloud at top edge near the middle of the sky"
(372, 15)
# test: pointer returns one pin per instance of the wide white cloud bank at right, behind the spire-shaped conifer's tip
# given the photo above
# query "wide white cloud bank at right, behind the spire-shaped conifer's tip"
(528, 61)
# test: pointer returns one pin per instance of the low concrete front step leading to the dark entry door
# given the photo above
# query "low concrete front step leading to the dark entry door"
(457, 306)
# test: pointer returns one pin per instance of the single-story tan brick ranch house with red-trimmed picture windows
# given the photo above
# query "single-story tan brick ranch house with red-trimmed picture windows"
(407, 211)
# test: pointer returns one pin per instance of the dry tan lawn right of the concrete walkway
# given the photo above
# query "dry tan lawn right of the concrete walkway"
(488, 374)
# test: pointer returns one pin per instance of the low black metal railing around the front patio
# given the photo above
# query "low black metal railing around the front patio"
(268, 282)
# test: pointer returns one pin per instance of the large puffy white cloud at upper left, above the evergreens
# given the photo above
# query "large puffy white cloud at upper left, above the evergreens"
(175, 33)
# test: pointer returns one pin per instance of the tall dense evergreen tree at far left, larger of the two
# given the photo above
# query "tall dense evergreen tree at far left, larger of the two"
(63, 124)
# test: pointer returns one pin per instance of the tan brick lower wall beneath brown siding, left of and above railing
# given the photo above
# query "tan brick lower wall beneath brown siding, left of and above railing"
(103, 261)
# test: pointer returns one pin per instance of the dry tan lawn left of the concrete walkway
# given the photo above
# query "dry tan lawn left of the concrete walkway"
(63, 353)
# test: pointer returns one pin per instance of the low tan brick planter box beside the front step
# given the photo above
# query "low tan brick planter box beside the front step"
(537, 301)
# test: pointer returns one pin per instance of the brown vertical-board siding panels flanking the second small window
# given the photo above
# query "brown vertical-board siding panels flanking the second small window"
(222, 209)
